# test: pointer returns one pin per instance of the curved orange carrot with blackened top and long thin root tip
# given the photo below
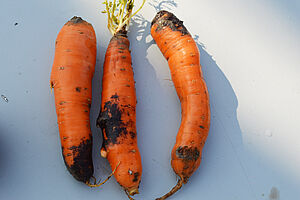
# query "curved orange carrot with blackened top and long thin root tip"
(181, 51)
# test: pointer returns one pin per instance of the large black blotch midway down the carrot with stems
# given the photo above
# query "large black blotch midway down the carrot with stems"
(109, 120)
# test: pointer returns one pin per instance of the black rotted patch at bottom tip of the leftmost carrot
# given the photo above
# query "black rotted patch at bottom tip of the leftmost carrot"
(82, 168)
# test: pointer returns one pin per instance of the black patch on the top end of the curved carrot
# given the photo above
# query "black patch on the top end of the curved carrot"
(166, 19)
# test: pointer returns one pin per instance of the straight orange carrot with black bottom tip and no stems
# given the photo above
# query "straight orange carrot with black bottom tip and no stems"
(71, 77)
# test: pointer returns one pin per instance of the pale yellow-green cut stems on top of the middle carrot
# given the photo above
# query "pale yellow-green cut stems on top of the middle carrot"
(119, 13)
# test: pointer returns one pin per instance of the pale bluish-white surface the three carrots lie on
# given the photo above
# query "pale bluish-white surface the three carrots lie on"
(250, 57)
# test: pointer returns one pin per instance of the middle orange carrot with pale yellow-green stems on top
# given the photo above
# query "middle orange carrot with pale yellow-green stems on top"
(117, 117)
